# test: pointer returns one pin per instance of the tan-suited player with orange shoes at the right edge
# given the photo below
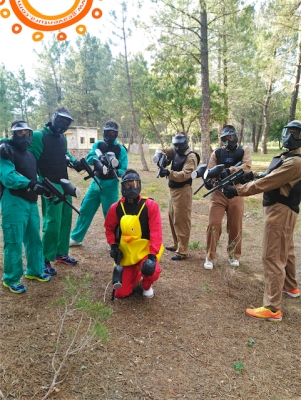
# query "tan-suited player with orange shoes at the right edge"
(282, 189)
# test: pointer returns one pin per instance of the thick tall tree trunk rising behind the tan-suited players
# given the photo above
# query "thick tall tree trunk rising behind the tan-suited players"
(205, 118)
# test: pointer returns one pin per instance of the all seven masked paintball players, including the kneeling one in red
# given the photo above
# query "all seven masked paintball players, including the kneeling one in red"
(133, 223)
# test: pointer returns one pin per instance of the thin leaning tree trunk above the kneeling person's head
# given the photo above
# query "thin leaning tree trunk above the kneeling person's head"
(130, 93)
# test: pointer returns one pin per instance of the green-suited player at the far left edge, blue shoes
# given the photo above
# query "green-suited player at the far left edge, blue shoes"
(20, 214)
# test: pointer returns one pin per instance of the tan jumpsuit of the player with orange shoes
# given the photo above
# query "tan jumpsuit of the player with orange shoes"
(279, 223)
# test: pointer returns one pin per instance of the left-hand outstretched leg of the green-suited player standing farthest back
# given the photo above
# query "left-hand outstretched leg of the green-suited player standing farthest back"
(88, 208)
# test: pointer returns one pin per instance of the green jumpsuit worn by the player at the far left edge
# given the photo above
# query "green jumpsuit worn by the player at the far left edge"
(20, 224)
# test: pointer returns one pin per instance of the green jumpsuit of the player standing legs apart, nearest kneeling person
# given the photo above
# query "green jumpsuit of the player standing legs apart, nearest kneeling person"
(94, 196)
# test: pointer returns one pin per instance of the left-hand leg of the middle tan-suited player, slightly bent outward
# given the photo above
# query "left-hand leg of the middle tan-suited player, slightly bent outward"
(217, 209)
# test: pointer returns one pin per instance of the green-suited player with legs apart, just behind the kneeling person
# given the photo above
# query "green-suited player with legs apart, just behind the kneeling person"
(109, 183)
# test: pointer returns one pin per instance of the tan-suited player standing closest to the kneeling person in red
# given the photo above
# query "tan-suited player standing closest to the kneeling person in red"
(184, 162)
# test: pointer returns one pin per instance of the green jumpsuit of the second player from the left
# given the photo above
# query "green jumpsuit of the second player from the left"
(57, 219)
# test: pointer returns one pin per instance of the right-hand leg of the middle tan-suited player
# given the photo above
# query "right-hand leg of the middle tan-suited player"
(235, 211)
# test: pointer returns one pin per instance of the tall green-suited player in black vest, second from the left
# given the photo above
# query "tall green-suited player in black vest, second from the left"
(49, 146)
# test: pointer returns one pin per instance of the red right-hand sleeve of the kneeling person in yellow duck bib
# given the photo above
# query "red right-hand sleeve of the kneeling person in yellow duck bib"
(155, 226)
